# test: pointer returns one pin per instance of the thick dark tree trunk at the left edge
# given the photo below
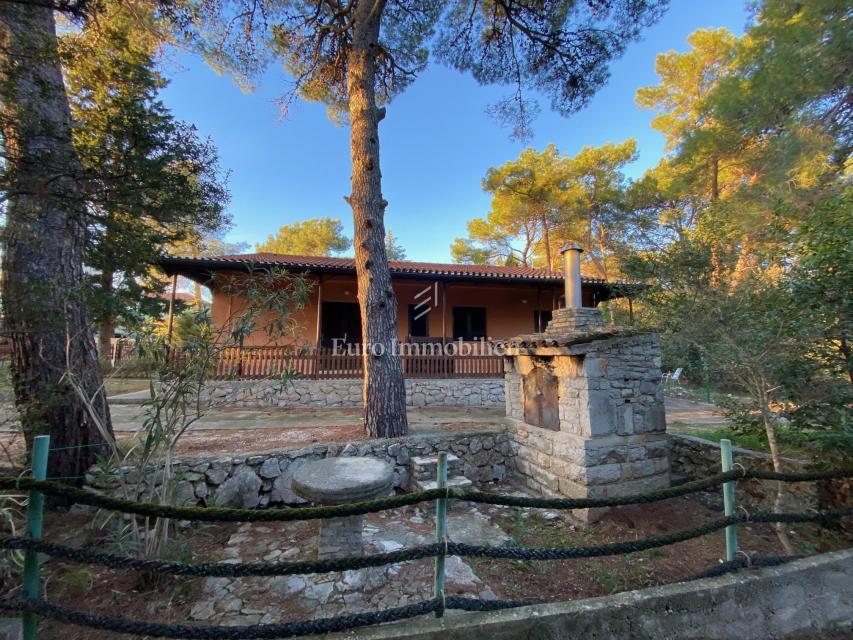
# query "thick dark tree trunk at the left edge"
(43, 243)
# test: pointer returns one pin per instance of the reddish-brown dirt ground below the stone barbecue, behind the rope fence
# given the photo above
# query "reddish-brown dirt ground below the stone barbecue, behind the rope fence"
(563, 580)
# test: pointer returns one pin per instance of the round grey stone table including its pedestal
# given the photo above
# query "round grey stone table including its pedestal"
(339, 481)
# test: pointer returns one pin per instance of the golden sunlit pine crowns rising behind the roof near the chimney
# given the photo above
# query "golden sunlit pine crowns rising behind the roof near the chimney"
(544, 199)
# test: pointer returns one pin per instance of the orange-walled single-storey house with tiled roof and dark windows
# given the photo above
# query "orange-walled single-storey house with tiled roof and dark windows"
(444, 302)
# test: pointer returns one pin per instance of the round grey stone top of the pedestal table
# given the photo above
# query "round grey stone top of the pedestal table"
(341, 480)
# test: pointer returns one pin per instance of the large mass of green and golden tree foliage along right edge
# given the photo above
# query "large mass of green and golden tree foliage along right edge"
(748, 262)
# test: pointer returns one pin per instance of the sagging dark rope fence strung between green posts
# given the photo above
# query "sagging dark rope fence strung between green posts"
(31, 606)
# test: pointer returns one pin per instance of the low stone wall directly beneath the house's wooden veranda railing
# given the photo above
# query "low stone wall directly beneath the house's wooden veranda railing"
(347, 392)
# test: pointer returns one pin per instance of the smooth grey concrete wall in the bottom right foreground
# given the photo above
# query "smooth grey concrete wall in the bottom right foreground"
(810, 597)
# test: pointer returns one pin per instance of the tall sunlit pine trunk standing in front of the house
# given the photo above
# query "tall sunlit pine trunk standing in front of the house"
(384, 388)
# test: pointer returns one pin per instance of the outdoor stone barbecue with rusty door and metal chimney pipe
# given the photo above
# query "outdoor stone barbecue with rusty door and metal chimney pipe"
(585, 406)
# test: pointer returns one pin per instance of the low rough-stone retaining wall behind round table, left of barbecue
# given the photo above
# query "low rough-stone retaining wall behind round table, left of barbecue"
(263, 479)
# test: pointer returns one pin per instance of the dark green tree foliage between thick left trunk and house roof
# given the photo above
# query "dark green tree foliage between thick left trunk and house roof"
(151, 181)
